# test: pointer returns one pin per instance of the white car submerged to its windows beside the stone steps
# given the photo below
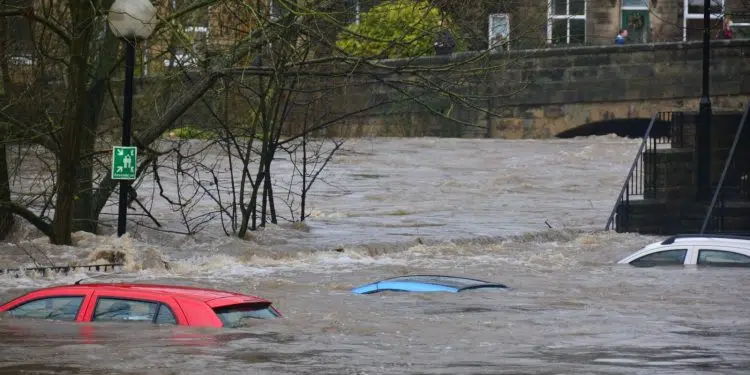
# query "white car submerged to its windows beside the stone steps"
(694, 249)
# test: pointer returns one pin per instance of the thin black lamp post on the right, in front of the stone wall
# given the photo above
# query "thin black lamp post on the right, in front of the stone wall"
(703, 126)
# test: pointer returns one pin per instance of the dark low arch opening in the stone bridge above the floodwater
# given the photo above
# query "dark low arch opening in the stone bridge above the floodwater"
(623, 127)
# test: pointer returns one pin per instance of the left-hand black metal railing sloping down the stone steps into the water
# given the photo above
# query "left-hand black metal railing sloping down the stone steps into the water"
(663, 125)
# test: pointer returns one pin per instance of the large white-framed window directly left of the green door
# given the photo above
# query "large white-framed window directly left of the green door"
(567, 22)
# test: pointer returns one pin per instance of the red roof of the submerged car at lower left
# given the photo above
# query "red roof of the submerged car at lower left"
(200, 294)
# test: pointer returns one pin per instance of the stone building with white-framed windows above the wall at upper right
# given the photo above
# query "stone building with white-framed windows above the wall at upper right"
(544, 23)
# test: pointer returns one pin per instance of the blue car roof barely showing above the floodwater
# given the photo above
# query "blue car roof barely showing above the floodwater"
(426, 283)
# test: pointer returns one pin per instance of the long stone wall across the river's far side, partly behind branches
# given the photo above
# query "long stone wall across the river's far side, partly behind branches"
(529, 94)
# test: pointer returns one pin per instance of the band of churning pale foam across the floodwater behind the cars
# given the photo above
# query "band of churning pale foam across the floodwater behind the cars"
(533, 252)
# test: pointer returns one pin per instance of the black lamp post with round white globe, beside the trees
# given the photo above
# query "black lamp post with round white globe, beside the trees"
(131, 21)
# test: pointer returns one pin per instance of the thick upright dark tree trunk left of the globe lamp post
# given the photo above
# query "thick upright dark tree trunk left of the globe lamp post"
(82, 16)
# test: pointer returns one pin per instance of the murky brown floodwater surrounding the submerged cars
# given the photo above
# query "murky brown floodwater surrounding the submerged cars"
(386, 207)
